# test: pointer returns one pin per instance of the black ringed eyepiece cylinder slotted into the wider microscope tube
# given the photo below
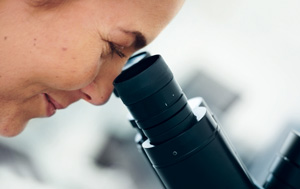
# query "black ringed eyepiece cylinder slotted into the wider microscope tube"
(157, 103)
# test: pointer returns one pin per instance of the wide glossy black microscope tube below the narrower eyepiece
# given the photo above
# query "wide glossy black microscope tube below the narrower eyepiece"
(199, 157)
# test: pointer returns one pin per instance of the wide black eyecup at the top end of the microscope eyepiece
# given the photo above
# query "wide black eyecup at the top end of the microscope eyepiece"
(137, 82)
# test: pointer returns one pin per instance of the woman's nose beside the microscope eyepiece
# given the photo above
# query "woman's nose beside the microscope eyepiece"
(99, 90)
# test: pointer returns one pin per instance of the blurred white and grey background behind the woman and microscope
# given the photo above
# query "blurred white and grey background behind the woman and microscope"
(241, 56)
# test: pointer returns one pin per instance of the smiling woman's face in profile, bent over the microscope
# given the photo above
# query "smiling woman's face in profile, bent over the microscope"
(50, 58)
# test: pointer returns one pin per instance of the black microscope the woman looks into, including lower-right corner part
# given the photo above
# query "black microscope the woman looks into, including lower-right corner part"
(182, 138)
